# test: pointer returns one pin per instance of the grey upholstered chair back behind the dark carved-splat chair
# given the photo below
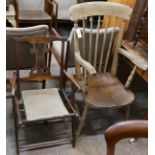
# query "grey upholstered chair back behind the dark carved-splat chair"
(27, 59)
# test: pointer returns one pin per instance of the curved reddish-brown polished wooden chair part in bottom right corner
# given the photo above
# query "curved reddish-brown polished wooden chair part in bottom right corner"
(121, 130)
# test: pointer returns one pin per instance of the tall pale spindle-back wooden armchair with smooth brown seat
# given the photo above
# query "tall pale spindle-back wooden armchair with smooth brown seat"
(96, 57)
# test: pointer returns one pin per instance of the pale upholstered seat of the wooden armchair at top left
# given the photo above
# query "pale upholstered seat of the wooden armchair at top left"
(33, 15)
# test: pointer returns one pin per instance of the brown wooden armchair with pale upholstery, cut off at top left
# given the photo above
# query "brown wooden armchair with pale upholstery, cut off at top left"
(29, 15)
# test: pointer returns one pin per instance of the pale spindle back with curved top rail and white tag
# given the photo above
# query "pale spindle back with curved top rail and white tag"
(93, 43)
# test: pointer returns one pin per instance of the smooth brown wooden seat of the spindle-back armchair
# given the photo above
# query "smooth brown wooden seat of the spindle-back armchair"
(104, 90)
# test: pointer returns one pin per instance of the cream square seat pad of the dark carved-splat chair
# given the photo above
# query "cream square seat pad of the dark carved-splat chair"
(43, 103)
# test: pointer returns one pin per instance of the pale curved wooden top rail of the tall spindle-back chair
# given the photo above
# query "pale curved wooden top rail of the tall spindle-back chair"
(99, 8)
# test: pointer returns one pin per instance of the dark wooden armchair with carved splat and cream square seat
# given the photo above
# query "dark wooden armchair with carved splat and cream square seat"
(39, 107)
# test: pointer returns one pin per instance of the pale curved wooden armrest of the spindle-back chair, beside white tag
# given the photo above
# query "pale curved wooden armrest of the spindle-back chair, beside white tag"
(91, 70)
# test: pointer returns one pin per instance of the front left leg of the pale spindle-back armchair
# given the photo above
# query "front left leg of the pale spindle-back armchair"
(82, 121)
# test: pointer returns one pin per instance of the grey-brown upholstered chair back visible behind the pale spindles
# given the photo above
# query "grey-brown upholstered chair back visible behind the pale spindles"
(70, 54)
